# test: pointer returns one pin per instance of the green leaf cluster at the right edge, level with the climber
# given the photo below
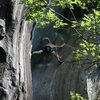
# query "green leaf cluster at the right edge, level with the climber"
(90, 50)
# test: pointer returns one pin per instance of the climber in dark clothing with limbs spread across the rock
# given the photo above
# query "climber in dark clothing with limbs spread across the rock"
(49, 47)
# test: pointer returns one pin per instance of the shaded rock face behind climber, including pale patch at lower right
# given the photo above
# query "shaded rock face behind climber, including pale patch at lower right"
(52, 81)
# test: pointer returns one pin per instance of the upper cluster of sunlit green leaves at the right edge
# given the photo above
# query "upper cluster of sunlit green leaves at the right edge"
(91, 22)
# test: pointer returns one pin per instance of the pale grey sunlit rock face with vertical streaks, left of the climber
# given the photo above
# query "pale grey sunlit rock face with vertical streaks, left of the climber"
(15, 43)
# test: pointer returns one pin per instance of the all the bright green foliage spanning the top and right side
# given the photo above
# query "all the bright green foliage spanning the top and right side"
(88, 28)
